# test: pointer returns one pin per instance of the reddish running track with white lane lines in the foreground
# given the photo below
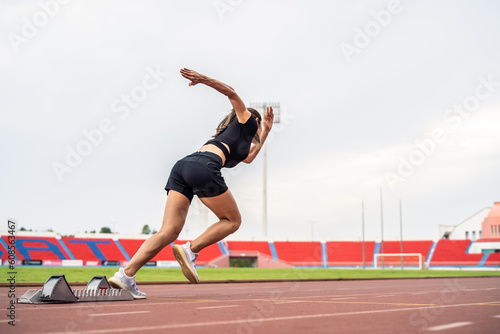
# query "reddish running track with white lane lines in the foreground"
(453, 305)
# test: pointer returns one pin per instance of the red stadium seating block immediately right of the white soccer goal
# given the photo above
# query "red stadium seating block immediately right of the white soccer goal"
(454, 253)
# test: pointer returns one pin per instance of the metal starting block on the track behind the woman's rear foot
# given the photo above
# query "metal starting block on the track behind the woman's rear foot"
(57, 290)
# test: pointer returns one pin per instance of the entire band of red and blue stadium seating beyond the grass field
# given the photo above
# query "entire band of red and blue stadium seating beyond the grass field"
(96, 251)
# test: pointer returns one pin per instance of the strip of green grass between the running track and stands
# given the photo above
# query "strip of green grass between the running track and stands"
(84, 274)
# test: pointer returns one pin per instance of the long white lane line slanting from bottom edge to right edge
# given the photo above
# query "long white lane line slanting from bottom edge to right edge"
(259, 320)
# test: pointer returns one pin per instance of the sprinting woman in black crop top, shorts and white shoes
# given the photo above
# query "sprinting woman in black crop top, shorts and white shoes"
(239, 137)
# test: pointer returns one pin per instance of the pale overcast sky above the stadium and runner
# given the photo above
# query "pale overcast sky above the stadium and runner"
(402, 96)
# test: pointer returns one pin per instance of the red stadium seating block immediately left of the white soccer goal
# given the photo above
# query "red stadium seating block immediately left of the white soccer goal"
(349, 253)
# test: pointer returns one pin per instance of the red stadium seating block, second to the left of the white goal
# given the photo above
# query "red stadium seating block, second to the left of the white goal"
(299, 253)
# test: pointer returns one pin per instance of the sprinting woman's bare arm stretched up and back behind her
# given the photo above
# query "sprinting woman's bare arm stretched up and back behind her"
(241, 111)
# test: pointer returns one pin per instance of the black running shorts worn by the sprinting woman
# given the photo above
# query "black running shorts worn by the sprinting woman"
(197, 174)
